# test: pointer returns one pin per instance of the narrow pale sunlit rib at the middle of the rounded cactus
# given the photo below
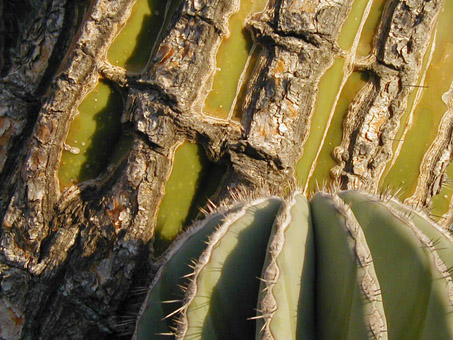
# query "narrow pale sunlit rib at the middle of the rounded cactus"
(286, 301)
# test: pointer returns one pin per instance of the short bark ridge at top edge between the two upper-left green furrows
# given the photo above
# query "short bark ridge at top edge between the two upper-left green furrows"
(184, 63)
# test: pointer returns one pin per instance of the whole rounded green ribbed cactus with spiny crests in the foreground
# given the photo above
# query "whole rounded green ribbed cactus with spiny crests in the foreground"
(343, 265)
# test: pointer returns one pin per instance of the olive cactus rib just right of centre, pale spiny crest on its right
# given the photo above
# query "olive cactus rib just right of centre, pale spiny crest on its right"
(348, 293)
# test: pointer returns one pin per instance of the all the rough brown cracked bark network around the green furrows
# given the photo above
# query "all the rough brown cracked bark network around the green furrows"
(70, 261)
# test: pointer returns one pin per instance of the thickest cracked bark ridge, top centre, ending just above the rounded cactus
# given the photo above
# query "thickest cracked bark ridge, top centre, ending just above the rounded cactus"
(299, 44)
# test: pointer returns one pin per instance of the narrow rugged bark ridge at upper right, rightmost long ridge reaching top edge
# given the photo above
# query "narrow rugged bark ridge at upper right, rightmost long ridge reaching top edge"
(373, 120)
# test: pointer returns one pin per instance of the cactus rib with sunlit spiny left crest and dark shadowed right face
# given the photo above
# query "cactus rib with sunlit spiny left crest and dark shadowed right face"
(224, 289)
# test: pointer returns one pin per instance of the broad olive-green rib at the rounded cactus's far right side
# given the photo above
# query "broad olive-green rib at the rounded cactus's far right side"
(414, 280)
